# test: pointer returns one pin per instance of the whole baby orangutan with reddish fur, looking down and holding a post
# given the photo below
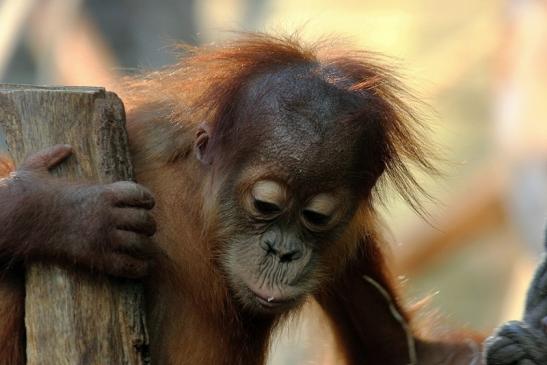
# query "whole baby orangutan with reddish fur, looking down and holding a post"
(263, 157)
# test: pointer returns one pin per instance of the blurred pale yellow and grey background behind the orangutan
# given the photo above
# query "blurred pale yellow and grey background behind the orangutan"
(480, 66)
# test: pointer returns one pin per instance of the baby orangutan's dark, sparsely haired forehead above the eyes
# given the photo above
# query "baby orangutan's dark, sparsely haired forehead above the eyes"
(296, 117)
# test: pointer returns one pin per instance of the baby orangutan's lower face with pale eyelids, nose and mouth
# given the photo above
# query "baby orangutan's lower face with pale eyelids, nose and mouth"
(274, 251)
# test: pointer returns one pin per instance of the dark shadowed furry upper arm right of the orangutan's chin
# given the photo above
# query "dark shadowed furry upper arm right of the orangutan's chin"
(350, 300)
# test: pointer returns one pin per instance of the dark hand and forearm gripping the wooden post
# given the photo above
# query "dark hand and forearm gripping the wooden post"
(105, 228)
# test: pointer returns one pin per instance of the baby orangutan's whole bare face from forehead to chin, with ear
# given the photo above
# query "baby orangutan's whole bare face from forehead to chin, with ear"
(291, 192)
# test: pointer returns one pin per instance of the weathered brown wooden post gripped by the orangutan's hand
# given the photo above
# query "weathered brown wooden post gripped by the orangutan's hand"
(74, 317)
